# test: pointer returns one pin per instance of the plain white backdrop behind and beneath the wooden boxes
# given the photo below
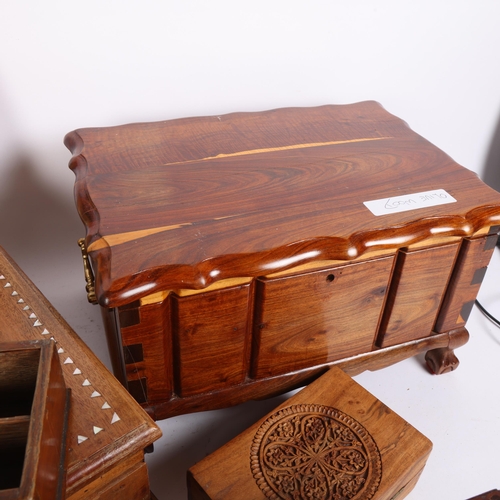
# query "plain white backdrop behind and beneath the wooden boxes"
(436, 64)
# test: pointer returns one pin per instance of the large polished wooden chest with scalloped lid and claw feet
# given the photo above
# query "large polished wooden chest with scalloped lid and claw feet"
(238, 256)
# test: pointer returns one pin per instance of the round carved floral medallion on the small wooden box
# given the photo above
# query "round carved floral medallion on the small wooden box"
(315, 452)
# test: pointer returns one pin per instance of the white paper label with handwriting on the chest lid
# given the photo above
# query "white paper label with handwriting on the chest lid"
(407, 202)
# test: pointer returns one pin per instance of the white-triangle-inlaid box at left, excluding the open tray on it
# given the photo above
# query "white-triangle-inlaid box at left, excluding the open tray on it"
(107, 430)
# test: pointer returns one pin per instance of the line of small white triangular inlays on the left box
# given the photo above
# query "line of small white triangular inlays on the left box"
(37, 324)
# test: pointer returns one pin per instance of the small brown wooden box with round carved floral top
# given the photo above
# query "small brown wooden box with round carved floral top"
(332, 439)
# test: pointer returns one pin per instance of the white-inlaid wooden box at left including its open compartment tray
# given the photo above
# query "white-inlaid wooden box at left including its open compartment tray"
(107, 431)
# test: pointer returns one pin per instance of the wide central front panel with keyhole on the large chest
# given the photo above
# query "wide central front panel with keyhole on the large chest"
(317, 317)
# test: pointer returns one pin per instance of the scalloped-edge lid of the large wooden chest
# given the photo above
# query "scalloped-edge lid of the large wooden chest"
(185, 203)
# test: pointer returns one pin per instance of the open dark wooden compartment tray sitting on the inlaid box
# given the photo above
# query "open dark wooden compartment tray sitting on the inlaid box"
(33, 421)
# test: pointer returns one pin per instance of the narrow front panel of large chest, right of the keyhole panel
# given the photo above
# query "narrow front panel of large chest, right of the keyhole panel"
(416, 292)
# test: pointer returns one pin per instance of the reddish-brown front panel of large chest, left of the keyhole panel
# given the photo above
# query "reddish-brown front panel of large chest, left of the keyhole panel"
(211, 343)
